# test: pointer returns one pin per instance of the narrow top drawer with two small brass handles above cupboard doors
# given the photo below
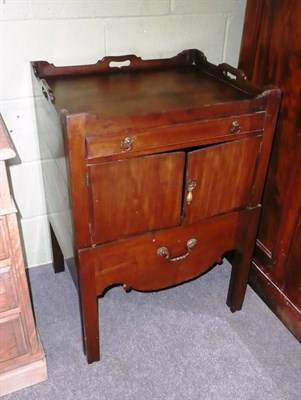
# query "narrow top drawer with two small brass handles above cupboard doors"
(168, 137)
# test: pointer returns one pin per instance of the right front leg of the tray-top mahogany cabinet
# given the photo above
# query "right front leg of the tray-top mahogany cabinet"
(242, 260)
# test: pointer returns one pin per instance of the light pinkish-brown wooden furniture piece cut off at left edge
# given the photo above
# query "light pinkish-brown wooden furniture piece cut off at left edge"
(22, 359)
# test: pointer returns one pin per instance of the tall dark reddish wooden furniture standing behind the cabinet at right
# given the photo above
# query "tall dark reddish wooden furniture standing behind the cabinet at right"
(270, 53)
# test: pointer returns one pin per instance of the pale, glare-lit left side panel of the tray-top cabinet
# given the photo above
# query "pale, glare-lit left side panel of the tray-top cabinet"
(53, 162)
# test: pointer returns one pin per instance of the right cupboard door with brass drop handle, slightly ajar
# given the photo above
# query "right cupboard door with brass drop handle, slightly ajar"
(220, 178)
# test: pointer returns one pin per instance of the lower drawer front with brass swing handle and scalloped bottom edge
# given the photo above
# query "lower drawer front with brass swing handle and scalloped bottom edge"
(142, 262)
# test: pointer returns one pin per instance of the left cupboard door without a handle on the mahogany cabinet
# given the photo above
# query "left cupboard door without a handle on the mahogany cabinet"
(135, 195)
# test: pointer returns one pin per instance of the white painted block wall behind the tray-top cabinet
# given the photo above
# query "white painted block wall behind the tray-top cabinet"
(76, 32)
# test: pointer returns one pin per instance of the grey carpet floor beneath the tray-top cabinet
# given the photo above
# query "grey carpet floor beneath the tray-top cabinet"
(181, 343)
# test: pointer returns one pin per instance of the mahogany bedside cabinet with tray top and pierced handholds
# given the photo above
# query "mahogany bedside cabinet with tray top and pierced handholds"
(167, 160)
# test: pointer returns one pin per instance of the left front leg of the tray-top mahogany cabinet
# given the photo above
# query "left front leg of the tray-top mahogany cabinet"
(89, 310)
